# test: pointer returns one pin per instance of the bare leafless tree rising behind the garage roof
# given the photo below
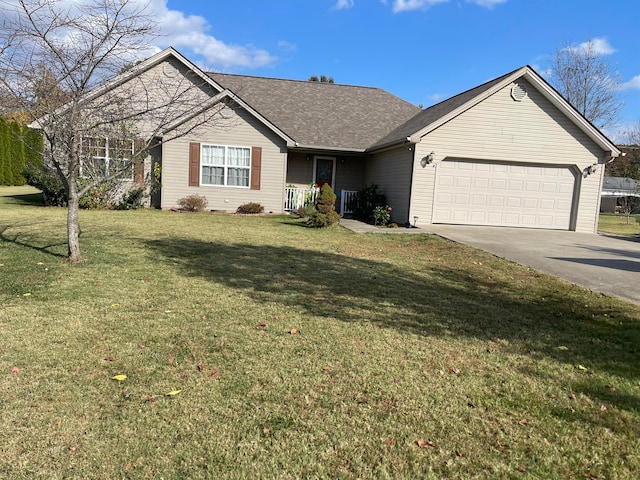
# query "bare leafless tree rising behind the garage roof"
(582, 76)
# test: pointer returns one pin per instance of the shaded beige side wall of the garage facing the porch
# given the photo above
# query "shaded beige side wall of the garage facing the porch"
(391, 171)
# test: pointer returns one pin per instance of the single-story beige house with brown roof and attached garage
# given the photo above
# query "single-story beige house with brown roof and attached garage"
(510, 152)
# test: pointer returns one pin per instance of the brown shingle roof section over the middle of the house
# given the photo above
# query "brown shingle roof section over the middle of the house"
(326, 115)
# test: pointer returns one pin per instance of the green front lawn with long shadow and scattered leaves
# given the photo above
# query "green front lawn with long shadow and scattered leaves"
(499, 371)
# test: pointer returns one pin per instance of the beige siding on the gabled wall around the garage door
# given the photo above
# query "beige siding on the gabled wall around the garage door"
(501, 129)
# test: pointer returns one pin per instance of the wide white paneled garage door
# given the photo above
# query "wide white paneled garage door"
(504, 194)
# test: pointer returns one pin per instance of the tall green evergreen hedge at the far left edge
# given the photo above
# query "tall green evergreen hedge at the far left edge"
(20, 150)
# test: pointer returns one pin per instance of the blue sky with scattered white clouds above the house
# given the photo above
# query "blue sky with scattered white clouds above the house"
(421, 50)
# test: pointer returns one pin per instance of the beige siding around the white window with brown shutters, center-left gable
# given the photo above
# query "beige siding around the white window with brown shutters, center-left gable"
(241, 130)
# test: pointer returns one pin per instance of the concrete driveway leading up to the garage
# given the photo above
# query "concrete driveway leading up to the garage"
(601, 263)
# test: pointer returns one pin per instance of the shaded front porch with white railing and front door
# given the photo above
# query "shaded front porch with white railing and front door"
(307, 171)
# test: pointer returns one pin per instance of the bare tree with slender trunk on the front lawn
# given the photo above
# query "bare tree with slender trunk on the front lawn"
(62, 62)
